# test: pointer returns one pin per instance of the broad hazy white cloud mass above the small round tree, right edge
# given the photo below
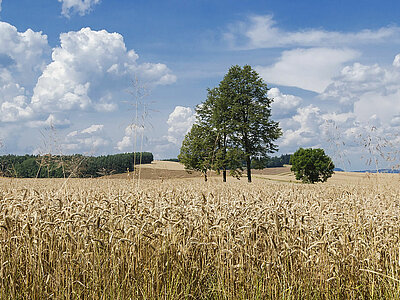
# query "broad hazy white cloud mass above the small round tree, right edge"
(359, 118)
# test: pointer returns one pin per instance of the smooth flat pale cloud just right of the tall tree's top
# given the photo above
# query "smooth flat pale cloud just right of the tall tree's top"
(310, 69)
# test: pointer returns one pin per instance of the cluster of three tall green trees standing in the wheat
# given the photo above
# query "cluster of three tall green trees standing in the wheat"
(233, 126)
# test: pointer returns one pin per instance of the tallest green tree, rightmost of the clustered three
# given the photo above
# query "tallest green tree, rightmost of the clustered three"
(252, 129)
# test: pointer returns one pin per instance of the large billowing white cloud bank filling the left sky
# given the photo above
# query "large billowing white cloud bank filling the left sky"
(89, 73)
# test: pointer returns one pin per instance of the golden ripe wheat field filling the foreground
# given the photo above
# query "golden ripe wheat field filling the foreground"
(187, 239)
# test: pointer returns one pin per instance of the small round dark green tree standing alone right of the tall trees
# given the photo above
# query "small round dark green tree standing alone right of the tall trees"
(311, 165)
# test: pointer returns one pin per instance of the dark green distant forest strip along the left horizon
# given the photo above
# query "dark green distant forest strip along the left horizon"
(60, 166)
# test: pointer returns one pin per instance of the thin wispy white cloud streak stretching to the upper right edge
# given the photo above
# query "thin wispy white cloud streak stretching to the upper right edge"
(262, 32)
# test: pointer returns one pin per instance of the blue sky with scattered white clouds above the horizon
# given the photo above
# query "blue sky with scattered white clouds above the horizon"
(101, 77)
